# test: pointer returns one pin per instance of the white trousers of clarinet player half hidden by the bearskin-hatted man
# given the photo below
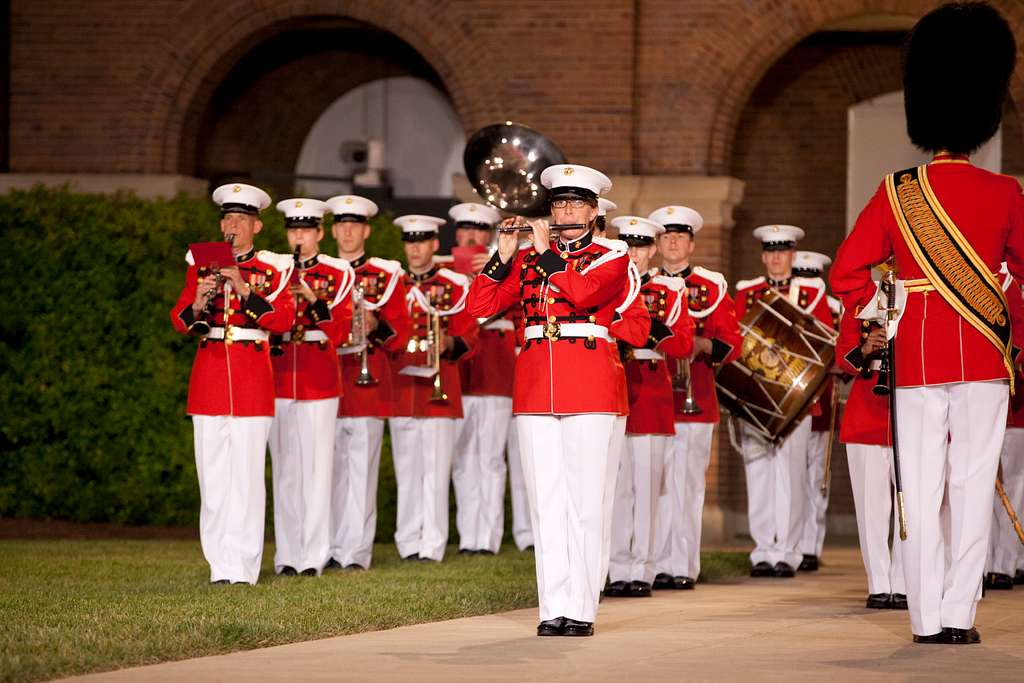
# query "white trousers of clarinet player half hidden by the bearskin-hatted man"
(872, 481)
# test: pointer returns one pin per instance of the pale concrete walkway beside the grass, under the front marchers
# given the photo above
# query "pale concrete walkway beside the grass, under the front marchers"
(813, 627)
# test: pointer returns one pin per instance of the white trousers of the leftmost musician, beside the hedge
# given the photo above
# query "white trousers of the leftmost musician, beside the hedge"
(231, 461)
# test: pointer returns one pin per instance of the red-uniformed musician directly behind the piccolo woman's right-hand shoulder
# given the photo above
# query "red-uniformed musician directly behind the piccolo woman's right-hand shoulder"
(650, 425)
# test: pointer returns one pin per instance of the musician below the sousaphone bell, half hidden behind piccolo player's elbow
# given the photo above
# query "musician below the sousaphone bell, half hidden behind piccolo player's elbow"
(479, 463)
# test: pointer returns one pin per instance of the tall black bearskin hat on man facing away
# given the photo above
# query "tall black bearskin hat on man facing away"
(957, 69)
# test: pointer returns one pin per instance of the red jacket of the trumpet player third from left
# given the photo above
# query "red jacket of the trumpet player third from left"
(385, 290)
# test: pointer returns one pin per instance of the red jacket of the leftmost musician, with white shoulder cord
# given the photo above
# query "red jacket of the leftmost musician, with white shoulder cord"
(236, 377)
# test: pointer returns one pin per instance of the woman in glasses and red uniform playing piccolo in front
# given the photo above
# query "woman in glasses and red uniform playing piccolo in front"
(565, 396)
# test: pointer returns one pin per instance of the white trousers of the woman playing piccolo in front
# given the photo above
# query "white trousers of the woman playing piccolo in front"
(566, 464)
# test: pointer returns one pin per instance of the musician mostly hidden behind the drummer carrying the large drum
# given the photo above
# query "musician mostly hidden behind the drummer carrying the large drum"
(807, 265)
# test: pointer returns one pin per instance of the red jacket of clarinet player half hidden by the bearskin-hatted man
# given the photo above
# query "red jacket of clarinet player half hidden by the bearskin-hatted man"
(866, 419)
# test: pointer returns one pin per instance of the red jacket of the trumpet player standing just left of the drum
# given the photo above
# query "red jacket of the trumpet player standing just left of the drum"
(714, 315)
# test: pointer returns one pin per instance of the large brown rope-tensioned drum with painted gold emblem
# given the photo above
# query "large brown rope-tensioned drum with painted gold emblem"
(783, 369)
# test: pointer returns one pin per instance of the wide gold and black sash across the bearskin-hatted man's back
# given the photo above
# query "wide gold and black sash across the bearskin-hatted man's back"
(948, 260)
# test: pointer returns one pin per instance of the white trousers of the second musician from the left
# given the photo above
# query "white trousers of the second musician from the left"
(303, 459)
